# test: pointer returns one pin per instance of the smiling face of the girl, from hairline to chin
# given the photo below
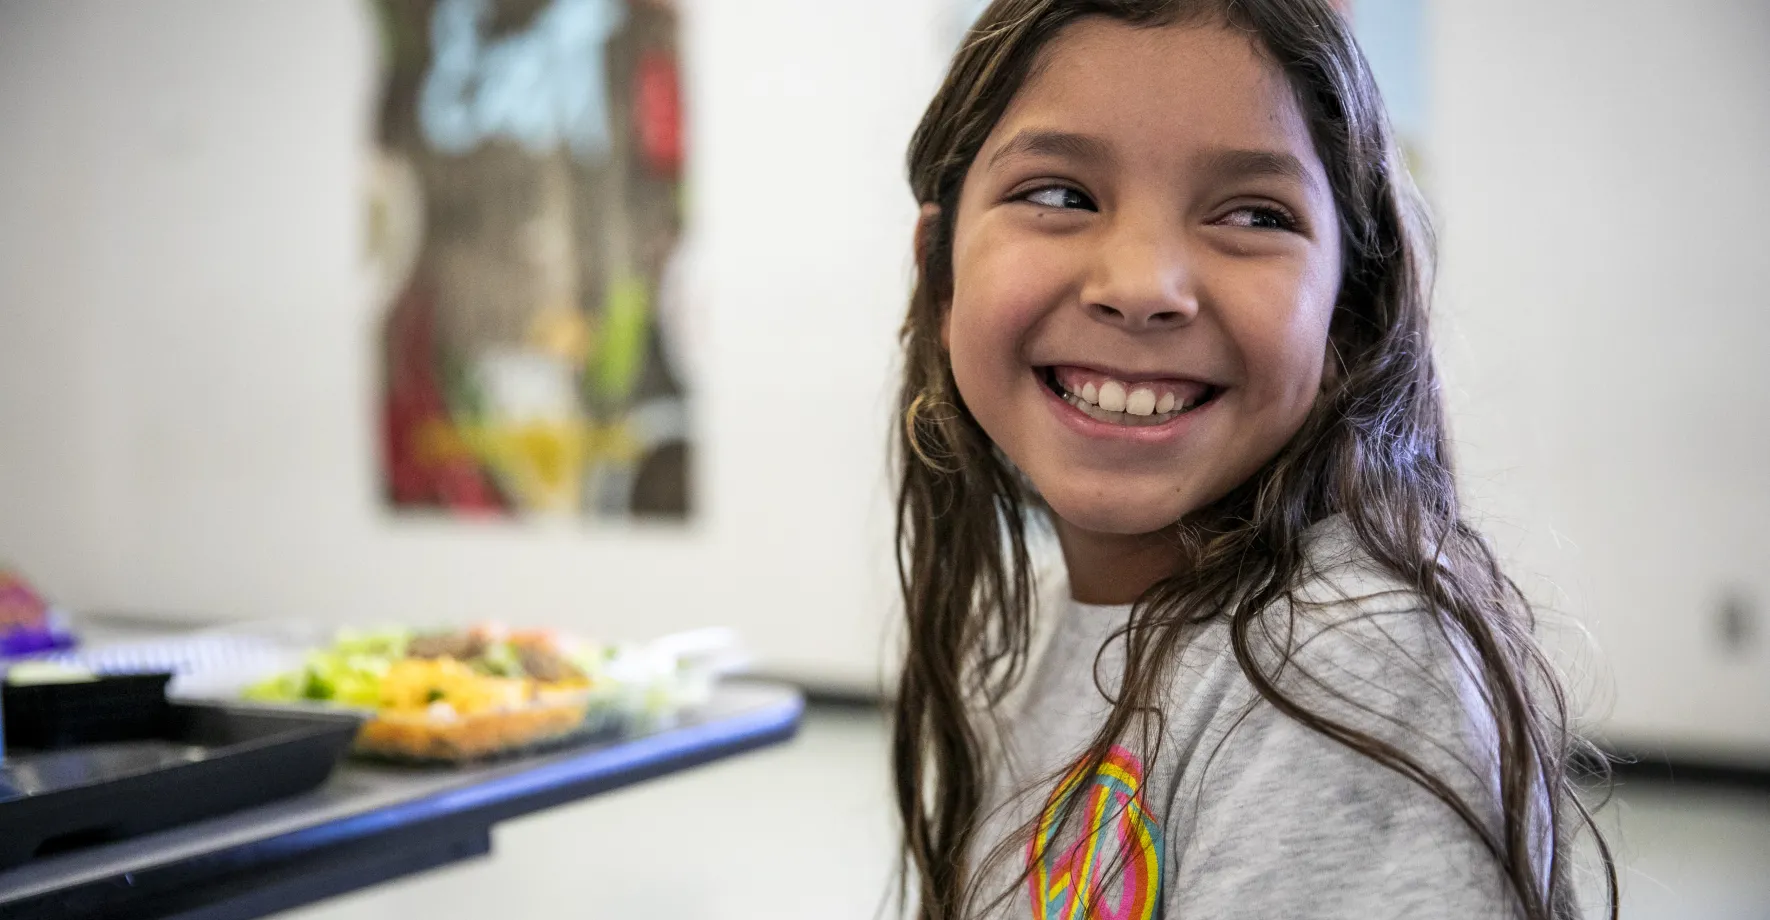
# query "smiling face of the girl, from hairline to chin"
(1146, 259)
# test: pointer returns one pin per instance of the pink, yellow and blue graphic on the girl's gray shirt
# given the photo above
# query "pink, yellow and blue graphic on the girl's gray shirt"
(1114, 870)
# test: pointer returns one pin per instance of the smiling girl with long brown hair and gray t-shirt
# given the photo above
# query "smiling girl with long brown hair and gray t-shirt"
(1173, 305)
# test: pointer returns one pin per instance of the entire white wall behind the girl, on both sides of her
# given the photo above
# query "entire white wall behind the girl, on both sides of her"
(187, 372)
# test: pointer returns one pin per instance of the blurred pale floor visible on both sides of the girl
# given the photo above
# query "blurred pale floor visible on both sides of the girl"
(804, 832)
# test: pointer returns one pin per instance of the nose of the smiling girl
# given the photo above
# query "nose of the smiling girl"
(1143, 284)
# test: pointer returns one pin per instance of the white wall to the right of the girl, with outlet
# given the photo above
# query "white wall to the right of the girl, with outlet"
(1605, 176)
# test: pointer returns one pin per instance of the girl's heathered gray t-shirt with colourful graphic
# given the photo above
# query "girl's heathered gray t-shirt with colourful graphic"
(1233, 809)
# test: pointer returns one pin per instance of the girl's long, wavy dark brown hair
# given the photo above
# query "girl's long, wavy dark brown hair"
(1373, 450)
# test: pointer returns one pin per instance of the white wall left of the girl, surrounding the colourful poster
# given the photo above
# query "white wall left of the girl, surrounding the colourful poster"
(187, 348)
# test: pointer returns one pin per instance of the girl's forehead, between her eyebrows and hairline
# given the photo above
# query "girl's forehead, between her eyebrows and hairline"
(1158, 88)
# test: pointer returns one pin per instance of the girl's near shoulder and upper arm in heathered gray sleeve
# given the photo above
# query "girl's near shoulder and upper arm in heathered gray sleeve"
(1265, 797)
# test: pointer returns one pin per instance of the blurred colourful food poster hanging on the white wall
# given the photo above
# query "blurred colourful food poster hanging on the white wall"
(525, 233)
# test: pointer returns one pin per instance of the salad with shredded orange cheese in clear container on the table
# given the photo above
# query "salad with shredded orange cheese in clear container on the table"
(459, 696)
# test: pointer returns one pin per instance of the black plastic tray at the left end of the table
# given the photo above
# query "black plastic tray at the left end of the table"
(206, 762)
